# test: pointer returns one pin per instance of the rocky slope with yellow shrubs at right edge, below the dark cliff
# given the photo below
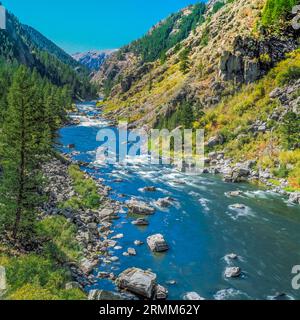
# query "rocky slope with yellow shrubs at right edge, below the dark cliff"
(258, 129)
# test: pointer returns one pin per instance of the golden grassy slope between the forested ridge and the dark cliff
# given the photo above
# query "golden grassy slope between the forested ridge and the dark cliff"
(150, 96)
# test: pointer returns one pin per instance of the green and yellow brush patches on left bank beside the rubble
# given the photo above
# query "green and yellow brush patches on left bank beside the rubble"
(43, 276)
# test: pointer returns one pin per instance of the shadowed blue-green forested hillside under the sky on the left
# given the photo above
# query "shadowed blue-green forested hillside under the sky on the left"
(24, 45)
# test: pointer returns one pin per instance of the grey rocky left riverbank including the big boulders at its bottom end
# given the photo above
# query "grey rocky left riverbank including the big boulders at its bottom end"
(95, 237)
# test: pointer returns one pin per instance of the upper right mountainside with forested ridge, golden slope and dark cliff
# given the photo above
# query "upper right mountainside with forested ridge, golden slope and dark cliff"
(227, 47)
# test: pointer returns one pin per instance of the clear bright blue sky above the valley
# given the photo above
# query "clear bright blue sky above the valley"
(77, 25)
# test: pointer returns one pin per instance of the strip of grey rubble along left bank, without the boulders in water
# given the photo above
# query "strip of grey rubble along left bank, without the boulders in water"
(93, 226)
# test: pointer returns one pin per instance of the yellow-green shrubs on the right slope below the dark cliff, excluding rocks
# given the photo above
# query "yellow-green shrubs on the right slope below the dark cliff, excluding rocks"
(233, 116)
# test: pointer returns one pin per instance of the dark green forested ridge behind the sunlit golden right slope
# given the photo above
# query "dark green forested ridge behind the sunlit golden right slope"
(129, 64)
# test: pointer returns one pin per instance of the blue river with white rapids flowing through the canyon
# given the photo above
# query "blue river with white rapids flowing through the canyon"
(200, 228)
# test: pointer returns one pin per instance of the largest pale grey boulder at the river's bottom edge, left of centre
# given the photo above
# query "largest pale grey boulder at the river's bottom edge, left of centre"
(138, 281)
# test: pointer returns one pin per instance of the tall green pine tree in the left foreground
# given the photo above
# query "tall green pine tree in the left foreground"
(24, 144)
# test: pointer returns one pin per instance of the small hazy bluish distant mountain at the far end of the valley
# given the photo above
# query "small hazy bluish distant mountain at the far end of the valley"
(93, 59)
